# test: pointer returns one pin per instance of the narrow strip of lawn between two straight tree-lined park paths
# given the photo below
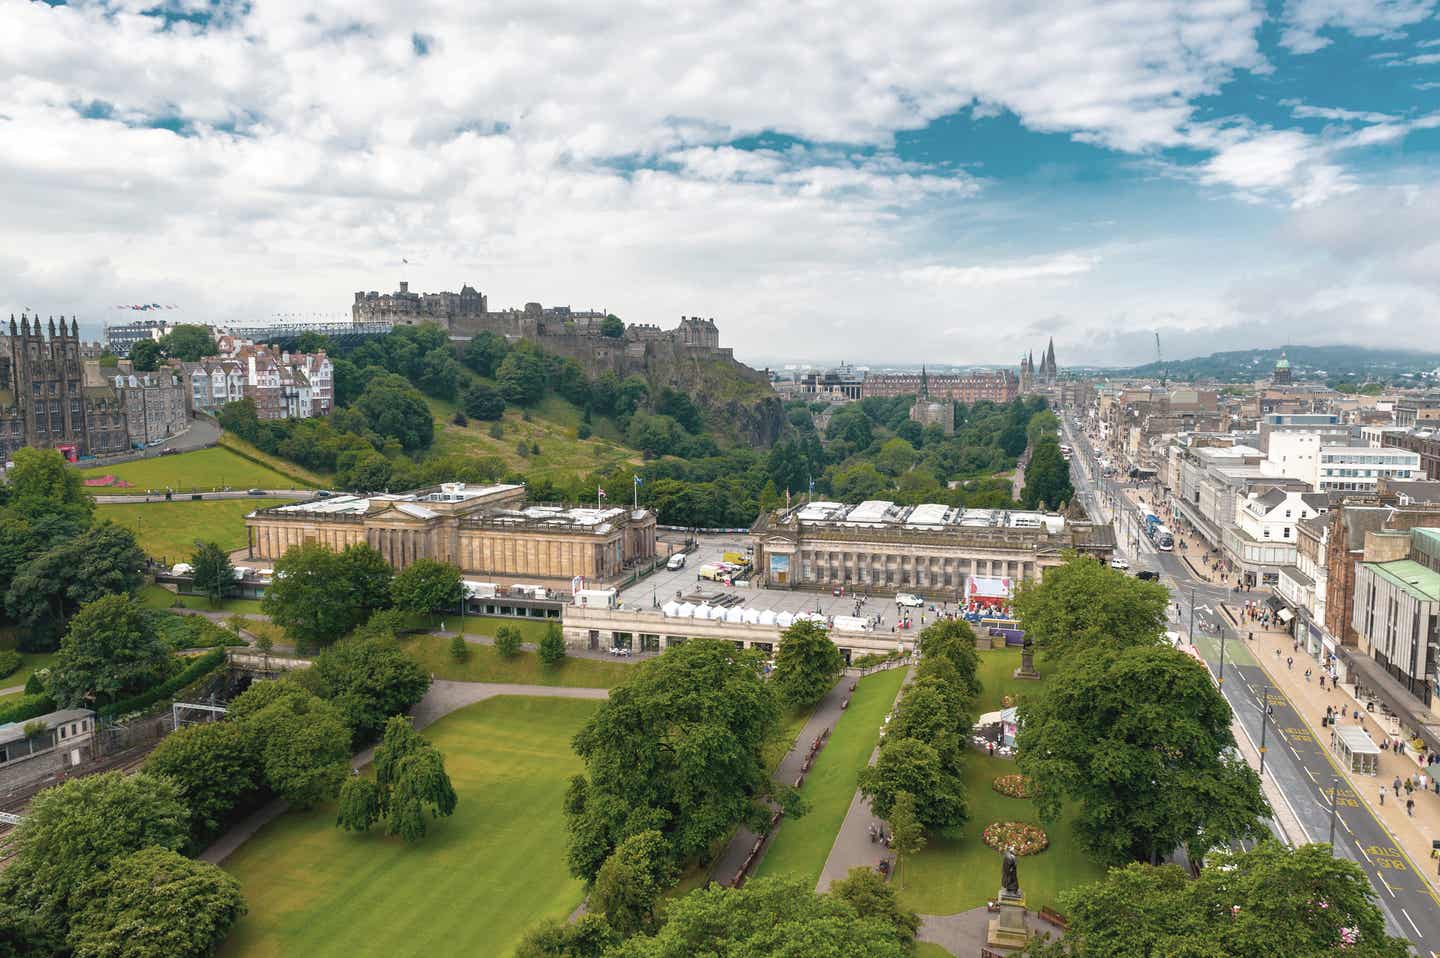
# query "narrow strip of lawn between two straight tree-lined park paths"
(803, 845)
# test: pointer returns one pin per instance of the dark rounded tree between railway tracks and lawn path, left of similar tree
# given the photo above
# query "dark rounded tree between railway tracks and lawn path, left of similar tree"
(217, 767)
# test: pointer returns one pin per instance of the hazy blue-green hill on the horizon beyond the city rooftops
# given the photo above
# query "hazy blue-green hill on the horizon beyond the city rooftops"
(1307, 364)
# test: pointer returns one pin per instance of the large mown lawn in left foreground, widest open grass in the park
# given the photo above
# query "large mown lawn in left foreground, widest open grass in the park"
(472, 887)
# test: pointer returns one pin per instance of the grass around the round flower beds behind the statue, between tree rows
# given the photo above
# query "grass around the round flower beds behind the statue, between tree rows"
(955, 875)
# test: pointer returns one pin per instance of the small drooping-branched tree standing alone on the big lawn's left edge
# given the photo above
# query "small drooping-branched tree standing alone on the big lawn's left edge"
(410, 780)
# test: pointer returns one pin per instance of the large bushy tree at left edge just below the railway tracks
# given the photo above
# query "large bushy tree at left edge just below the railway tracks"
(77, 831)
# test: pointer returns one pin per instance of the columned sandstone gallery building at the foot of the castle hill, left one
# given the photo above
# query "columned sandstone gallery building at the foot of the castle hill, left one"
(486, 531)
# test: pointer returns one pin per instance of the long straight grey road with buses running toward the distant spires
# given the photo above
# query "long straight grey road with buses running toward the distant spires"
(1302, 769)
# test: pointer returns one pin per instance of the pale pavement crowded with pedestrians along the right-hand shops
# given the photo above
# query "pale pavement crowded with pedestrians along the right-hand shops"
(1410, 833)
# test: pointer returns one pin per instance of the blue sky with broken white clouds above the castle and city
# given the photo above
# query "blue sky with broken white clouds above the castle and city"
(942, 182)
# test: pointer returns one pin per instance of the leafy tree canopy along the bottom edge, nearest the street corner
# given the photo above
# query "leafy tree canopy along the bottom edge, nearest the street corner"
(1304, 903)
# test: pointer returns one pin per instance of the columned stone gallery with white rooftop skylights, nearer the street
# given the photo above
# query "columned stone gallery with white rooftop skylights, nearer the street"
(931, 550)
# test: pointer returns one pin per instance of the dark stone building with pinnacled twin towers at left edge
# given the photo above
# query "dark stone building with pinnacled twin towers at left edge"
(44, 398)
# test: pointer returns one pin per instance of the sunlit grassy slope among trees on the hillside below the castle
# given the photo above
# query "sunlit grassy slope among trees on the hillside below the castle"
(554, 424)
